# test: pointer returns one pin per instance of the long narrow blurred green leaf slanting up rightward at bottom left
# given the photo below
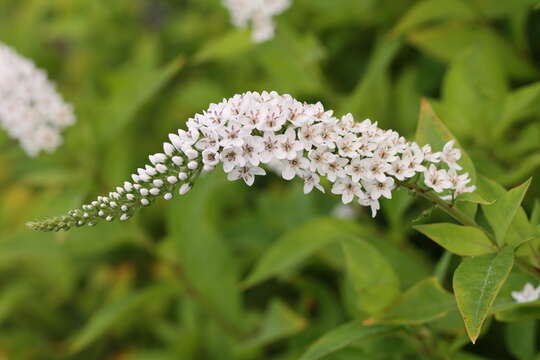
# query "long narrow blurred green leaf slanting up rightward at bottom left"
(112, 314)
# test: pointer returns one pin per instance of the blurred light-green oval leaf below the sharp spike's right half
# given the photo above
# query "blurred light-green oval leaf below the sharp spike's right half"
(373, 278)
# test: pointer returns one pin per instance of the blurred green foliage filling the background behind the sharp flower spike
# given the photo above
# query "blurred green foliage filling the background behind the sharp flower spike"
(177, 281)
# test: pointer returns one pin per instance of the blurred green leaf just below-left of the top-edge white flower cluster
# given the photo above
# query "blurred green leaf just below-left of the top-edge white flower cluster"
(228, 45)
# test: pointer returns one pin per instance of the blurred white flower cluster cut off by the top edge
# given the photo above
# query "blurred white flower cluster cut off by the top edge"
(259, 13)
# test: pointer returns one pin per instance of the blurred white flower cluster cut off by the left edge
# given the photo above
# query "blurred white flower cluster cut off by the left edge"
(31, 110)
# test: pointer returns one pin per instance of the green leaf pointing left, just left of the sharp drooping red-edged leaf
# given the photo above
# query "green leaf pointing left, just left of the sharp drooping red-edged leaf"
(424, 302)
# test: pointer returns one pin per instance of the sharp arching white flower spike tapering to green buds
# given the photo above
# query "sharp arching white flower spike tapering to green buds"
(253, 131)
